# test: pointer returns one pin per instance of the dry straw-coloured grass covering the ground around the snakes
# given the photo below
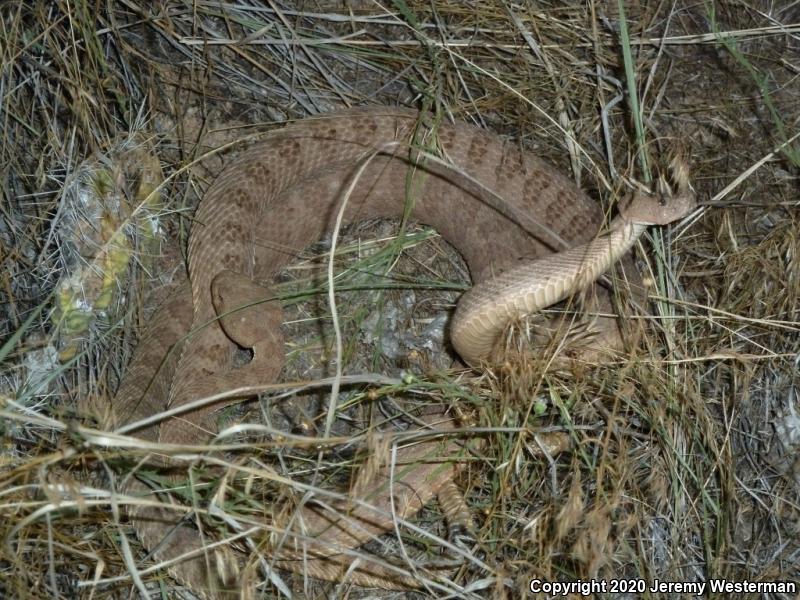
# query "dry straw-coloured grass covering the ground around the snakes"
(683, 464)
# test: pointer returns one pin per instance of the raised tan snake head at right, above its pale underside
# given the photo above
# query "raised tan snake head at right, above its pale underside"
(668, 204)
